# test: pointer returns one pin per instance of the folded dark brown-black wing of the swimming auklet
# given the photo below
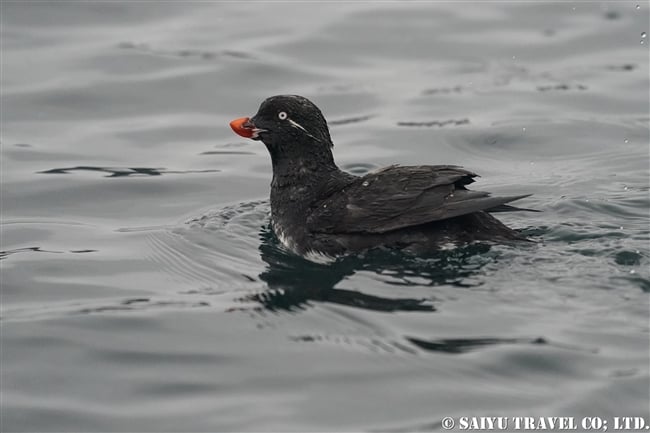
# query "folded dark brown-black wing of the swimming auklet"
(396, 197)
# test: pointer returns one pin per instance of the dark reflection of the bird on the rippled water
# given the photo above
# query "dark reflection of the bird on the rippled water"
(294, 282)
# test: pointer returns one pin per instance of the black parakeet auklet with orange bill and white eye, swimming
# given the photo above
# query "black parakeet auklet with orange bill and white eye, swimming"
(320, 212)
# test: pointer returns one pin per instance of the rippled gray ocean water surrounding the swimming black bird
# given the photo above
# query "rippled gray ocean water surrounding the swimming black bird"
(143, 291)
